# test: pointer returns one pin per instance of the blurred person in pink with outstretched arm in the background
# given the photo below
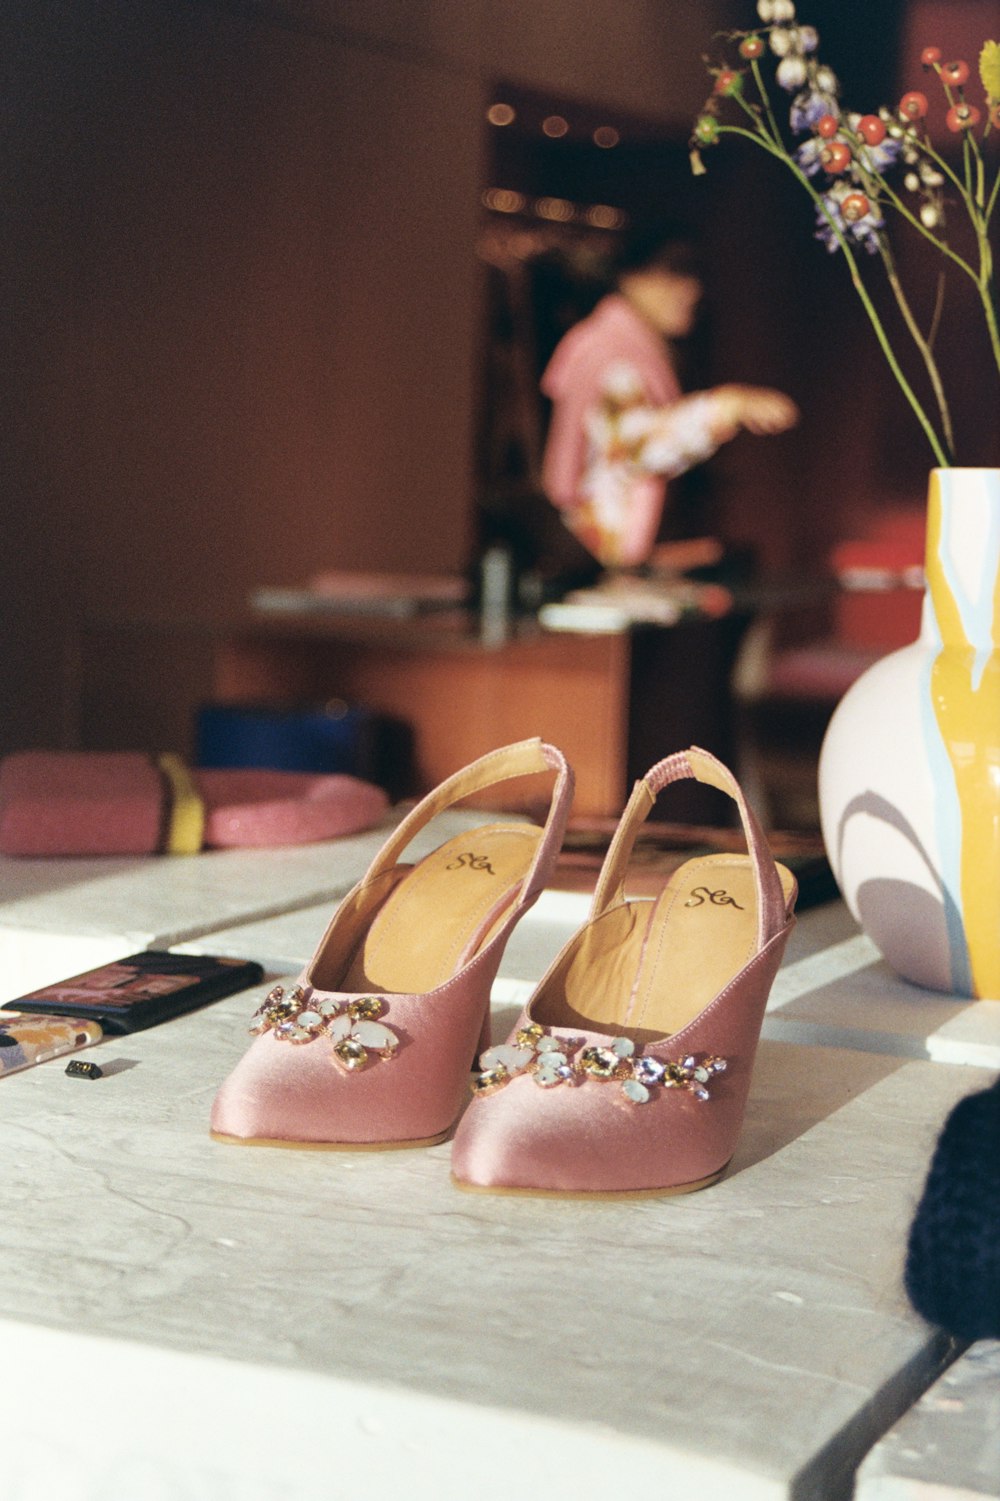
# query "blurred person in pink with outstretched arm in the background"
(621, 426)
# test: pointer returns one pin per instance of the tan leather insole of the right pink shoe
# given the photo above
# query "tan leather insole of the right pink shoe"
(648, 969)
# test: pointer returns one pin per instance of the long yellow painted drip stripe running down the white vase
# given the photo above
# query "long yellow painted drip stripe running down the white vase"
(968, 711)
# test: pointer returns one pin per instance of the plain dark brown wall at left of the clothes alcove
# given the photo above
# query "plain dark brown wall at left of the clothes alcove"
(244, 317)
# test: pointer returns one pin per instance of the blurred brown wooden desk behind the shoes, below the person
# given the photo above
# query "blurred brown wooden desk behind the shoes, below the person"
(615, 703)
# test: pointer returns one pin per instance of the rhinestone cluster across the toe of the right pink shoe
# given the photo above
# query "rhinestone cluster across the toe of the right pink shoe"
(559, 1060)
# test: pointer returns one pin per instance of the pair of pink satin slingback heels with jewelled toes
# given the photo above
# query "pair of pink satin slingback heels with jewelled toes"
(627, 1072)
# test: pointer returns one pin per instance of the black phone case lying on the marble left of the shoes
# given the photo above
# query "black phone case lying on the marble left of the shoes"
(202, 979)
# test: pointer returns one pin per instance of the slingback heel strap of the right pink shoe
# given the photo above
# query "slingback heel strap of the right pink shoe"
(703, 768)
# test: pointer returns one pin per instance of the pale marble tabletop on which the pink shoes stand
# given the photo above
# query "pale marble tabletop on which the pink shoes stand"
(276, 1326)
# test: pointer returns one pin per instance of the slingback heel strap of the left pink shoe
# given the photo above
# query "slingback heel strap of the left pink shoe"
(523, 759)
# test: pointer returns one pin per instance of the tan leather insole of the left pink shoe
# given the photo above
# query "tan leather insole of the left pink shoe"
(444, 910)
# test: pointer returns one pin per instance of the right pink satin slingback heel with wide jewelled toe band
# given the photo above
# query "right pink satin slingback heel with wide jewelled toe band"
(630, 1068)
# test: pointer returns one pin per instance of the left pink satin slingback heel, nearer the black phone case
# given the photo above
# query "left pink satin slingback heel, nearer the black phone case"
(372, 1045)
